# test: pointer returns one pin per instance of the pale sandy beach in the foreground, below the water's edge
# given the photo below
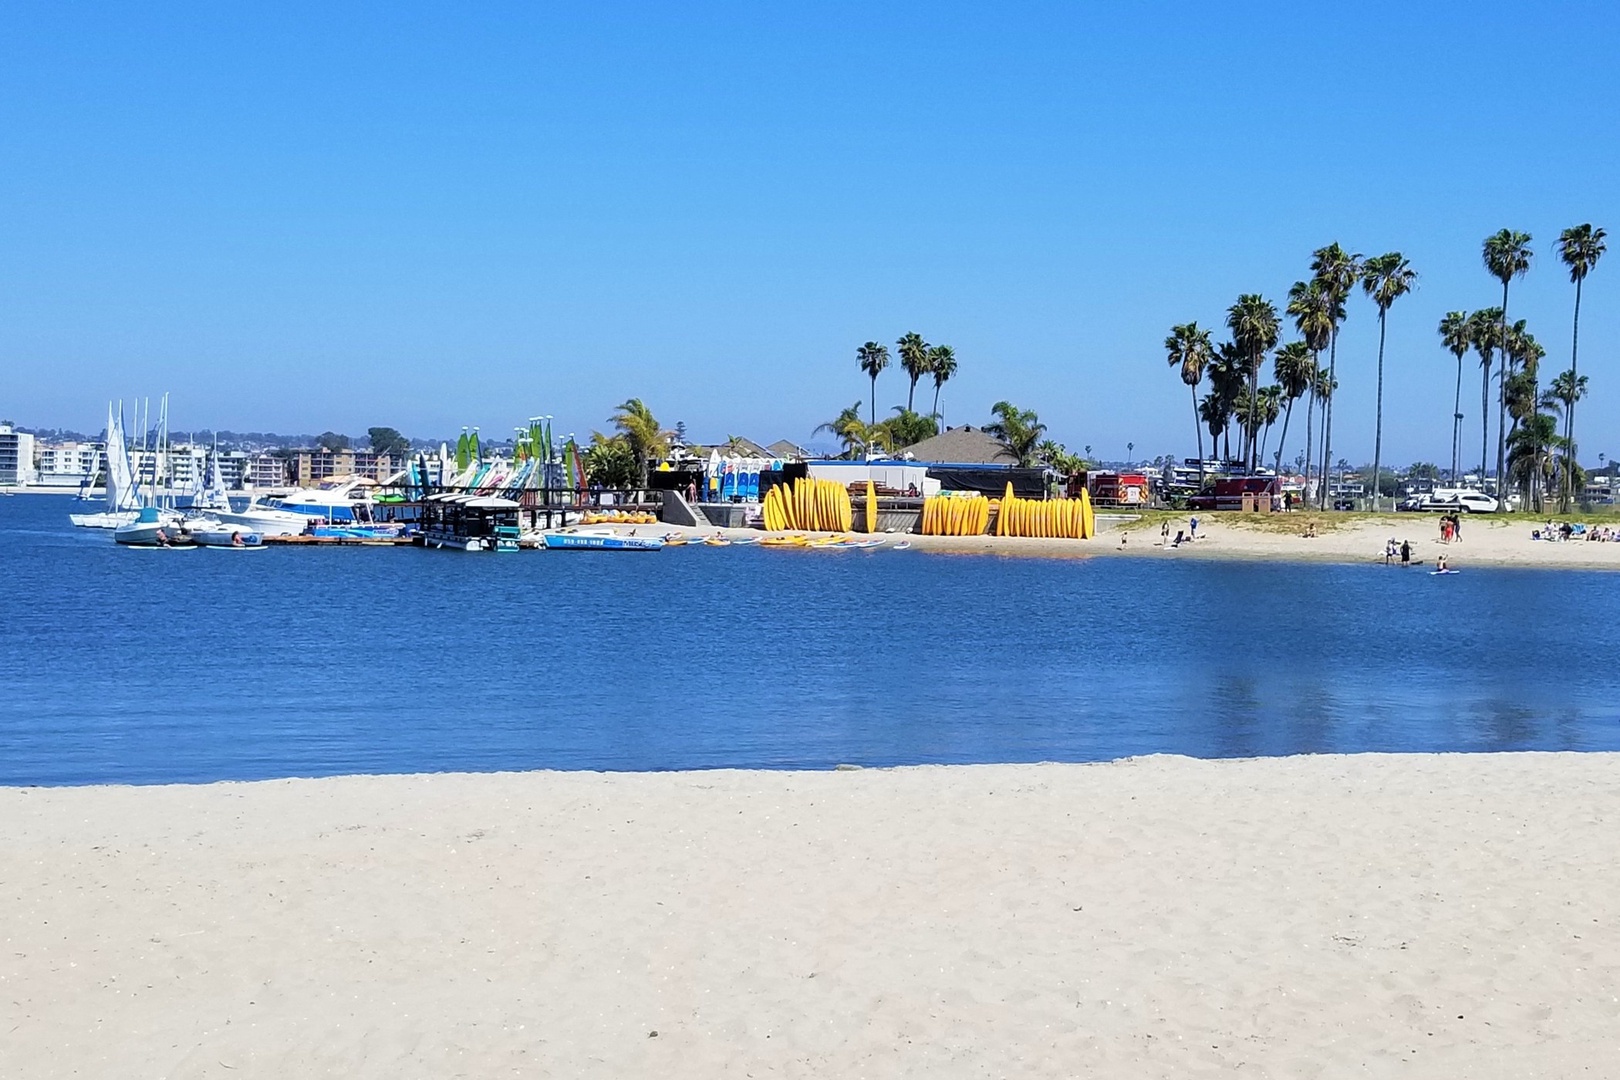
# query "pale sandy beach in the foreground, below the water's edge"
(1307, 917)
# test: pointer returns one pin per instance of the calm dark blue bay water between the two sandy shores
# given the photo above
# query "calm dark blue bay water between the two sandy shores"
(127, 666)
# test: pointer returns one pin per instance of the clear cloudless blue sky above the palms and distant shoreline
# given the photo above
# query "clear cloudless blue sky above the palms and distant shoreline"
(323, 216)
